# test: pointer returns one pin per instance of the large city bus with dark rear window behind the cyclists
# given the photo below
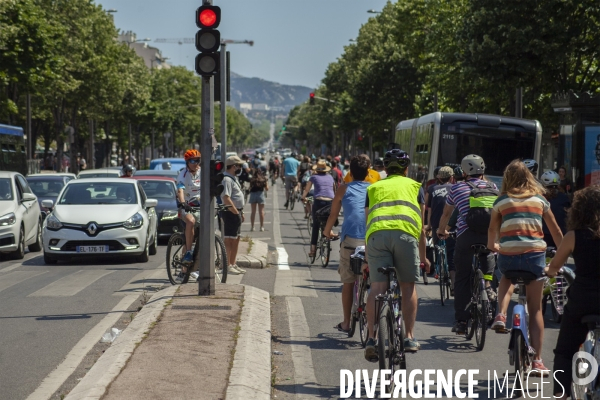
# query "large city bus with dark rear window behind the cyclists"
(443, 139)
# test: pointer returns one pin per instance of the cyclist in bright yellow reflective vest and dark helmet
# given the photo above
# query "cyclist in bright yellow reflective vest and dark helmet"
(395, 237)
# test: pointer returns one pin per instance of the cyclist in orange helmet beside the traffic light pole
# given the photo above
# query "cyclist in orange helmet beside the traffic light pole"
(188, 188)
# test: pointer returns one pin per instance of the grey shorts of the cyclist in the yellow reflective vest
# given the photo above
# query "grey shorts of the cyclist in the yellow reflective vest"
(393, 247)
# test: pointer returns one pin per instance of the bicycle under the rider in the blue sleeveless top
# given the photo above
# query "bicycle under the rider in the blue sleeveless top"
(361, 288)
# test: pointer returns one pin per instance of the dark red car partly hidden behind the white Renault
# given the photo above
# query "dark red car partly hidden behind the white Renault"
(163, 189)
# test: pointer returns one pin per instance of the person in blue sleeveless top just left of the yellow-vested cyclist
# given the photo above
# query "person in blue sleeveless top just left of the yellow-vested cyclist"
(352, 198)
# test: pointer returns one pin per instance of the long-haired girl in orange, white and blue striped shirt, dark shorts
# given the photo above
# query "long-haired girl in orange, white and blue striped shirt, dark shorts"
(516, 232)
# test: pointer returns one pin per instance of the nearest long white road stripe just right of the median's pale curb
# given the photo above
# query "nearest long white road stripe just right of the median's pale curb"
(304, 371)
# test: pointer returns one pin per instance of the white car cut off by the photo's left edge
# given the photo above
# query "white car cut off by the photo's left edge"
(20, 216)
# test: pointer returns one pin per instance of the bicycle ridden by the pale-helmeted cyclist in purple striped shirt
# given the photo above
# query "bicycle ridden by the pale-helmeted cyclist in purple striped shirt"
(479, 306)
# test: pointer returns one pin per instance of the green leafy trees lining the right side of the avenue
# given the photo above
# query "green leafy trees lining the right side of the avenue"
(418, 56)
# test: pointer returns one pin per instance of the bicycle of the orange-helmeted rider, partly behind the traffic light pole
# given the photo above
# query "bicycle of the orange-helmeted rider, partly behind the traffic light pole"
(176, 250)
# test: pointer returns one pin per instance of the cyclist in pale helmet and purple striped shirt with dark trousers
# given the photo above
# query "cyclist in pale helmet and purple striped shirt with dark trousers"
(458, 197)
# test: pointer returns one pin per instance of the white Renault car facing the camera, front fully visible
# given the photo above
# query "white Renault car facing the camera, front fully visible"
(100, 217)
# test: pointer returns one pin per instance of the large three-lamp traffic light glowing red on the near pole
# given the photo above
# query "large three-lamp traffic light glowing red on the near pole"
(208, 40)
